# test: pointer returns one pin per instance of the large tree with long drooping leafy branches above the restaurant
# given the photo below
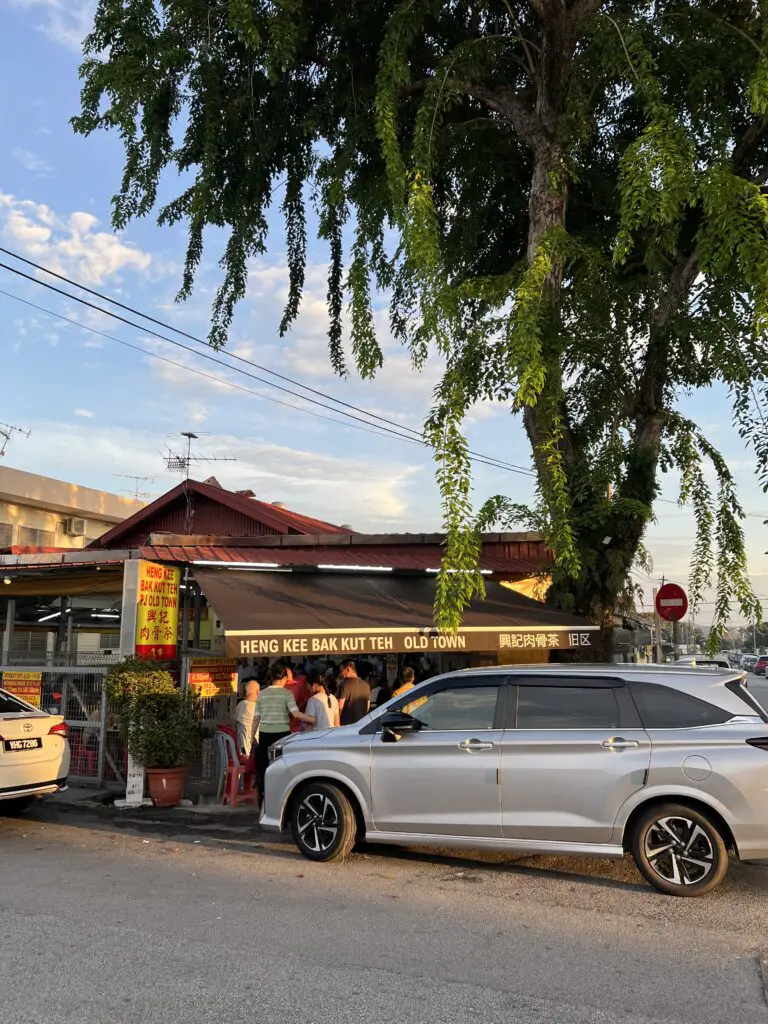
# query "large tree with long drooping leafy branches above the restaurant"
(576, 190)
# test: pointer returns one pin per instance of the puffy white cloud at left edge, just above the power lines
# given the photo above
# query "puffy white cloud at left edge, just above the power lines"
(71, 245)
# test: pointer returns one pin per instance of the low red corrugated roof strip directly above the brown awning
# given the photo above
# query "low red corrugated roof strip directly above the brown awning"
(407, 559)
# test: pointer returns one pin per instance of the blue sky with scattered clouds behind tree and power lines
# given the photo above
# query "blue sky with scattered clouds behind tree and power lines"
(105, 401)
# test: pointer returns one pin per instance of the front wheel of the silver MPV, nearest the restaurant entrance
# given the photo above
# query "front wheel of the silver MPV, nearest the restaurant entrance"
(323, 823)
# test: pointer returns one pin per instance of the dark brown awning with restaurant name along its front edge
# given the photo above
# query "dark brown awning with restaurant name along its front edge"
(296, 614)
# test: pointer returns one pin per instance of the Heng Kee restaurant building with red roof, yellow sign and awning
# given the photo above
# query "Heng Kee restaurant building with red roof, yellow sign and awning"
(214, 582)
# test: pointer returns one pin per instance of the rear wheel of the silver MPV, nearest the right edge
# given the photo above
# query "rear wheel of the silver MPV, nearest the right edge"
(679, 850)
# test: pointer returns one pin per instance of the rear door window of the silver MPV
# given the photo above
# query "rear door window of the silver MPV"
(567, 708)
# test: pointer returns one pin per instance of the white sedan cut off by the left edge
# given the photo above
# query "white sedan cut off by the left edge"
(34, 754)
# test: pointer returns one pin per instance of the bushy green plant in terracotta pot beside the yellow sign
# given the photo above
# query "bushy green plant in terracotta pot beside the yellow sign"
(159, 724)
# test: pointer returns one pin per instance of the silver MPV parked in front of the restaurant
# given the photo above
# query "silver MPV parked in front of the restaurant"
(668, 764)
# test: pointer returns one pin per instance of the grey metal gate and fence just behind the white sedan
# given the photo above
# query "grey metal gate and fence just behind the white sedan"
(79, 694)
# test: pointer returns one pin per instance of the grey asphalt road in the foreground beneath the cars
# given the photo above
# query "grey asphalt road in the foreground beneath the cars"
(127, 922)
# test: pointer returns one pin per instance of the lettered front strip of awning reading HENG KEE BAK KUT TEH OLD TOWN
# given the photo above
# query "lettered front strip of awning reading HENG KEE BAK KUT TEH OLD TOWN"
(244, 645)
